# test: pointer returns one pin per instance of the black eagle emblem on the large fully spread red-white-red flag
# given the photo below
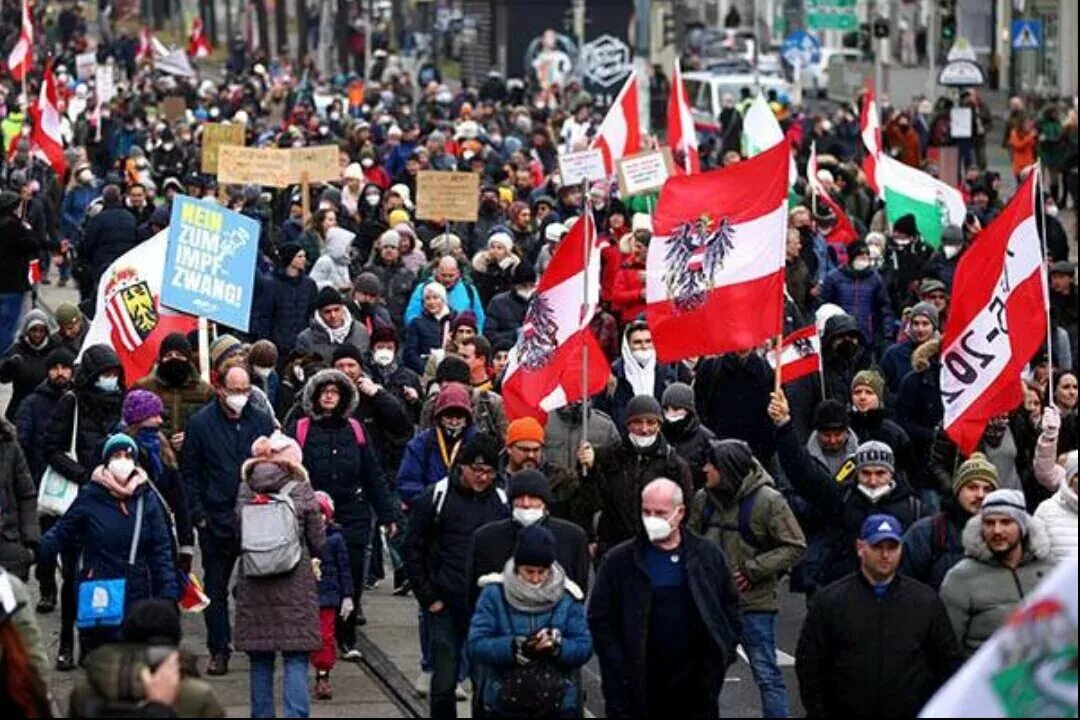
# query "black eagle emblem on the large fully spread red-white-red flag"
(696, 251)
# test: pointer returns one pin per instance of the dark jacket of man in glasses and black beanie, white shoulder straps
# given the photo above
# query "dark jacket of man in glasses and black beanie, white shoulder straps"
(439, 544)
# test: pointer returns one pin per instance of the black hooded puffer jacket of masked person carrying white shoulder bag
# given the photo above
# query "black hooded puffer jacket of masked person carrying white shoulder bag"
(99, 416)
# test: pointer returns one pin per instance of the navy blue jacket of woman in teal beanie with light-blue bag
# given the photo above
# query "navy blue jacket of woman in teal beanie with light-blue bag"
(101, 527)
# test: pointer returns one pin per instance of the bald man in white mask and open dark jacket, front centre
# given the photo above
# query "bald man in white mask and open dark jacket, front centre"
(688, 636)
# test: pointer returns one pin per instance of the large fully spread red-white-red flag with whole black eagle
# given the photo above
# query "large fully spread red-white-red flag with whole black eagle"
(715, 271)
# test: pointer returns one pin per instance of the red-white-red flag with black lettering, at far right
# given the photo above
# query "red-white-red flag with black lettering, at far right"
(996, 321)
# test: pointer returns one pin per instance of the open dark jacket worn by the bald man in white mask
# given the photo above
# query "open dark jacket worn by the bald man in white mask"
(619, 621)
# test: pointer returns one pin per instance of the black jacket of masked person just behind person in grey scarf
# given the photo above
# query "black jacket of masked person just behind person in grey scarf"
(495, 542)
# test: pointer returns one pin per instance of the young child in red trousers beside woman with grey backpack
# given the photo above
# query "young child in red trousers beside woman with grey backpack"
(334, 582)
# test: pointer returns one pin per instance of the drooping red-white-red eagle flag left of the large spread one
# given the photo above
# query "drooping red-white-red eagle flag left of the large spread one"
(545, 371)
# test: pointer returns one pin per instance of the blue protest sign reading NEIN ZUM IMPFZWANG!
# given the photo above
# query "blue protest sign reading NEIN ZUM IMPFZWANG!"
(210, 263)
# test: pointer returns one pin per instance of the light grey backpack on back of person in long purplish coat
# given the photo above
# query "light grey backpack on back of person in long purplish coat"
(271, 535)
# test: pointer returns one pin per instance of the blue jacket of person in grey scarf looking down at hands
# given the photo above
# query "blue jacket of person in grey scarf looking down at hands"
(496, 623)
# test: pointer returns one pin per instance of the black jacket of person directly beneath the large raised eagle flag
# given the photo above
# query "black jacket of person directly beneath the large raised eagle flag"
(733, 399)
